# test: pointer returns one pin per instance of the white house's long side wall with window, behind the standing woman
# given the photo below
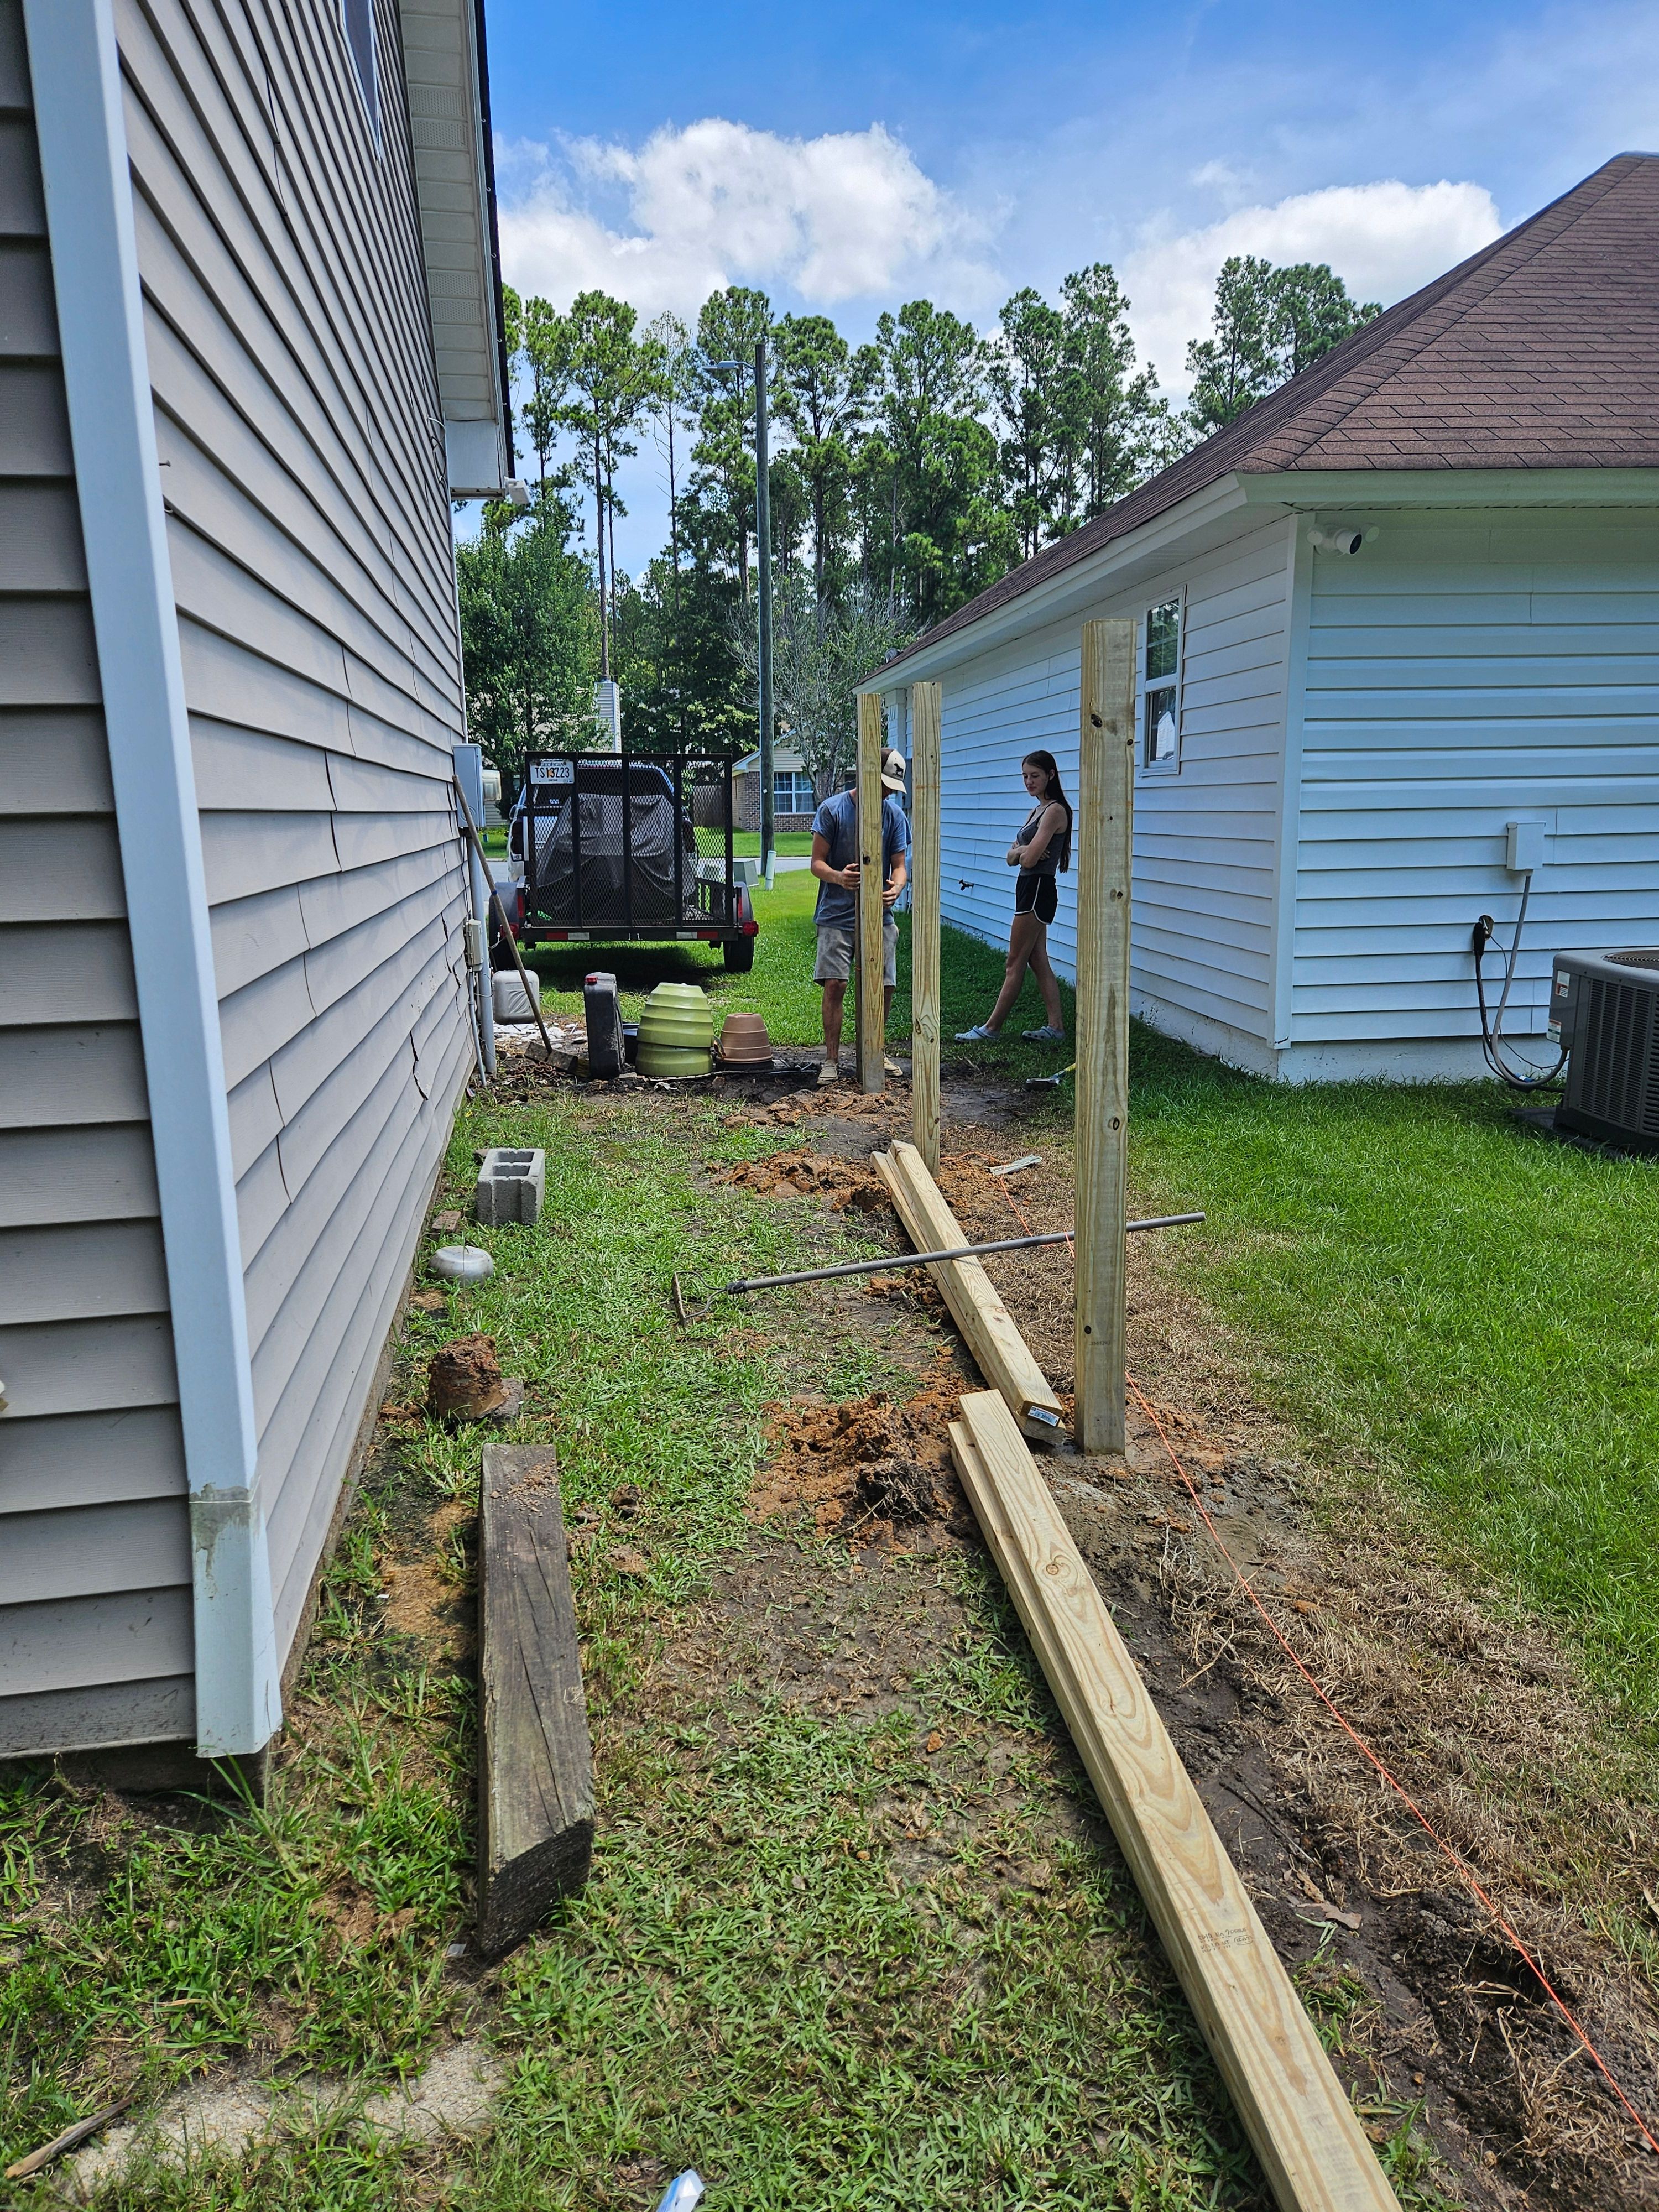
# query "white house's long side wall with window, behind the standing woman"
(1207, 842)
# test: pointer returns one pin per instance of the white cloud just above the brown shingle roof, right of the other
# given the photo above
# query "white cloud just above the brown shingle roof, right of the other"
(1384, 240)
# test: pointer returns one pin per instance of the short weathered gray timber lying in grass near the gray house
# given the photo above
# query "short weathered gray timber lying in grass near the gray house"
(536, 1762)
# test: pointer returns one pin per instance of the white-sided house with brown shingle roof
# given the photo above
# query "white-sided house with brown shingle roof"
(1333, 742)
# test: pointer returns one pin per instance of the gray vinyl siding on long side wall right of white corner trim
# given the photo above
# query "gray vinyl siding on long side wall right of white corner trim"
(309, 530)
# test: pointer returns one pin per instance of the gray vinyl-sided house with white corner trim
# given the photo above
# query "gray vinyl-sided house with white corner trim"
(249, 351)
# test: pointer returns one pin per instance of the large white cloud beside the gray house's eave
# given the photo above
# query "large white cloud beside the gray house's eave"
(846, 216)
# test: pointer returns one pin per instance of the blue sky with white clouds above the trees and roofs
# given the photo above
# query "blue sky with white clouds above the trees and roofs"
(857, 156)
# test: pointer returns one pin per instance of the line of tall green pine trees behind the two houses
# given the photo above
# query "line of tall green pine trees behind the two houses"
(908, 474)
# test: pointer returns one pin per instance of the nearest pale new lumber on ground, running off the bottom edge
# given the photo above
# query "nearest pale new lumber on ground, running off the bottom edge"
(1293, 2107)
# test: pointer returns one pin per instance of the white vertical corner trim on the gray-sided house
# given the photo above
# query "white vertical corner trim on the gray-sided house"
(101, 324)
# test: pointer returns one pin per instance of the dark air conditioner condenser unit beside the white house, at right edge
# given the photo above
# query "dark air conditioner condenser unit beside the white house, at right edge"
(1605, 1012)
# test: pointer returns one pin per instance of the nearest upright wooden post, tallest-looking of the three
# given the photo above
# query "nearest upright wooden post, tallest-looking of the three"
(1105, 802)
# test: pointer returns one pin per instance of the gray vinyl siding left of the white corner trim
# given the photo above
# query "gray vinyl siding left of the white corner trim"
(94, 1530)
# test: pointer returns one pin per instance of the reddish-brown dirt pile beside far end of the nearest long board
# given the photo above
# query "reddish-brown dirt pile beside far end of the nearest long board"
(868, 1470)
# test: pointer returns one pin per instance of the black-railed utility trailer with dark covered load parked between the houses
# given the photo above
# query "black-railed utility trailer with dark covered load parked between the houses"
(629, 846)
